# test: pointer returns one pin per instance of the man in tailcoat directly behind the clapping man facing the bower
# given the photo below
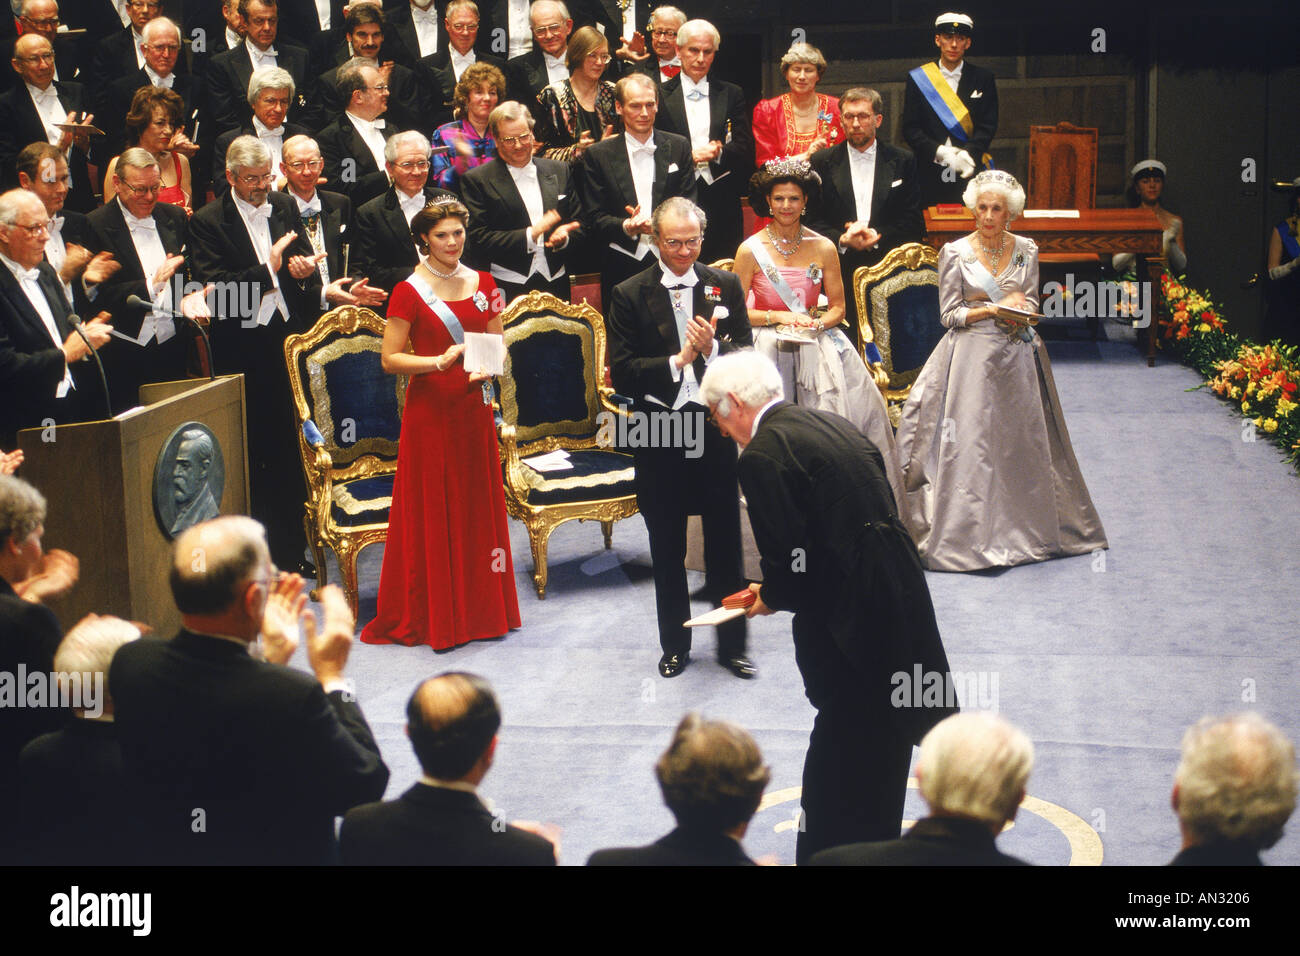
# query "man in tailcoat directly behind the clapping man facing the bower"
(625, 179)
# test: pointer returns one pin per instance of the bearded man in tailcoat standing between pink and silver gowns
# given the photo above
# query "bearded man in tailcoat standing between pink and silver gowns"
(869, 201)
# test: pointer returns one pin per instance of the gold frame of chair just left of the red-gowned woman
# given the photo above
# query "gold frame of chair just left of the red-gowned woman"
(319, 466)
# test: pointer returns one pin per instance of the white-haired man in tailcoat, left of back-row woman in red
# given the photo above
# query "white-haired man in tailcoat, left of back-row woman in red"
(713, 116)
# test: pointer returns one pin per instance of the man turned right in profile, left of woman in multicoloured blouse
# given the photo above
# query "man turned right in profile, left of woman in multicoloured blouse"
(354, 145)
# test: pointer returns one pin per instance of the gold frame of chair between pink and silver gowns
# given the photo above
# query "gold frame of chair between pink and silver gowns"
(909, 265)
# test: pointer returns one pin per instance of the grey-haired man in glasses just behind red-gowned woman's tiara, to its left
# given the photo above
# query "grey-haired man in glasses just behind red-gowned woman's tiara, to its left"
(385, 249)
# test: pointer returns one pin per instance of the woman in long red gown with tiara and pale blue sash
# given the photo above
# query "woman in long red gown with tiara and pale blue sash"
(448, 576)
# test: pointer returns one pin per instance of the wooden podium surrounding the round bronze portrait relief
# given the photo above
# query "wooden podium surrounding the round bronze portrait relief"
(98, 481)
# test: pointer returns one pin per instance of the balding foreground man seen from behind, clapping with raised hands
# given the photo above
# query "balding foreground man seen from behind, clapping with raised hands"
(229, 759)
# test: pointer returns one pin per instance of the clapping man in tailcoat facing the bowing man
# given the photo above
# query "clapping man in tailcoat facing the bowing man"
(666, 326)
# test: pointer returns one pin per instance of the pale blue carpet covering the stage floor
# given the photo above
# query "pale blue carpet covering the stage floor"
(1103, 661)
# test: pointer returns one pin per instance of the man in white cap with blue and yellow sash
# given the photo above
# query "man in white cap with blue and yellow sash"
(950, 114)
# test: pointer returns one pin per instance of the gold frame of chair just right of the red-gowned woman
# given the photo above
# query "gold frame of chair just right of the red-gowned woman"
(521, 321)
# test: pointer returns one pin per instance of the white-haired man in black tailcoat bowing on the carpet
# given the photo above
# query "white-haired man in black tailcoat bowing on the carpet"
(835, 553)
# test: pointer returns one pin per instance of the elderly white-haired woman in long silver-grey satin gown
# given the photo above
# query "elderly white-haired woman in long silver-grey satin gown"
(990, 477)
